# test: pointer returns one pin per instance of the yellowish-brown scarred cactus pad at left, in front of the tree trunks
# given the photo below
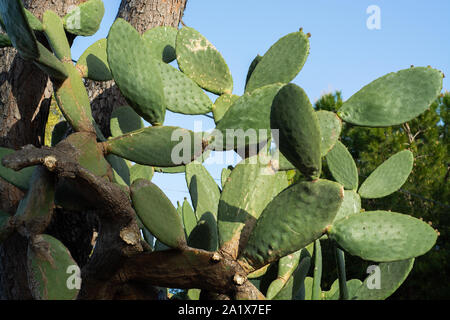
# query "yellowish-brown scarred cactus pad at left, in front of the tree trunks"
(73, 101)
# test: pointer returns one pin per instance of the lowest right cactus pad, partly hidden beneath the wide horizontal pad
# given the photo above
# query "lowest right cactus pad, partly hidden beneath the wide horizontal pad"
(392, 275)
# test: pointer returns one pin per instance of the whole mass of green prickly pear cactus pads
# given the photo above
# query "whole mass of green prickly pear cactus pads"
(270, 226)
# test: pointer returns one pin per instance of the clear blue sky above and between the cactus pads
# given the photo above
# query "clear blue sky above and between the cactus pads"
(345, 55)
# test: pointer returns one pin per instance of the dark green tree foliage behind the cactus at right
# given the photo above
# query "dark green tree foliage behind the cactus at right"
(425, 194)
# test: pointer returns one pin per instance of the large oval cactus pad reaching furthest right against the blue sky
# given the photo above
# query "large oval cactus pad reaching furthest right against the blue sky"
(394, 98)
